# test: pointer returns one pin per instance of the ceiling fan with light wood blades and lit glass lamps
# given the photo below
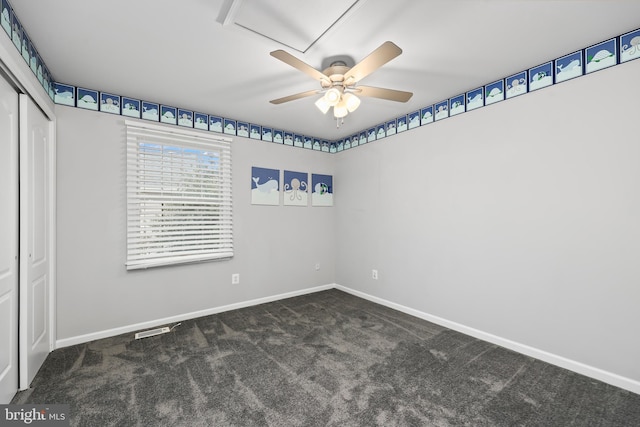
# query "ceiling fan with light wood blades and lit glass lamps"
(339, 81)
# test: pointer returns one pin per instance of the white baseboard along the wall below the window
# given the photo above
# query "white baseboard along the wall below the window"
(80, 339)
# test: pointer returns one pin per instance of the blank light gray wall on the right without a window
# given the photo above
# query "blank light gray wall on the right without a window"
(520, 219)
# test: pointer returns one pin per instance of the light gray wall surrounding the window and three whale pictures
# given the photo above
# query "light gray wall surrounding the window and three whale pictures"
(276, 247)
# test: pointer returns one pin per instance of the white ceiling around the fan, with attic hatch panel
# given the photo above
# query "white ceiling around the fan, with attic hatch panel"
(191, 53)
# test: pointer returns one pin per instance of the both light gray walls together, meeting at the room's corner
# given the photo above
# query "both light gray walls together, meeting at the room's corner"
(519, 219)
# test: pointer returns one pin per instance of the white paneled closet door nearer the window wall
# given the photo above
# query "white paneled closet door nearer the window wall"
(35, 231)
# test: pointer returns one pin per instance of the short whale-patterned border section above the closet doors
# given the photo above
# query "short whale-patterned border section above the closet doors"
(18, 35)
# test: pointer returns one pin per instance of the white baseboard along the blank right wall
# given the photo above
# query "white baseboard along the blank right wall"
(563, 362)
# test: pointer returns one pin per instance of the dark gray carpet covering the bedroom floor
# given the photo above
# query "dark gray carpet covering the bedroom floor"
(325, 359)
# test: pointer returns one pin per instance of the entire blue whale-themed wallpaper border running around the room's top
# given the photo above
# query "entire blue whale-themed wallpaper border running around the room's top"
(614, 51)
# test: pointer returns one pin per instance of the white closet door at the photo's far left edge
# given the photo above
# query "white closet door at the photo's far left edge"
(8, 241)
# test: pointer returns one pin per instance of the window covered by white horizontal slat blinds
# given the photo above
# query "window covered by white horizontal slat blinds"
(178, 196)
